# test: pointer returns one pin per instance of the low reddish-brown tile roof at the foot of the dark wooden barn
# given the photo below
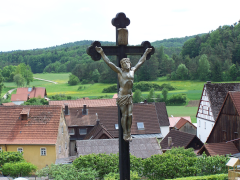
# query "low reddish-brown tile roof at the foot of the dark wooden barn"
(222, 148)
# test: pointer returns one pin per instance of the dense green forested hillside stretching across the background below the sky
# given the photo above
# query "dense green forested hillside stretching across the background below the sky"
(211, 56)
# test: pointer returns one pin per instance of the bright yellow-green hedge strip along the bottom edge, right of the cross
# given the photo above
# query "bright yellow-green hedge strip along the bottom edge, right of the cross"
(211, 177)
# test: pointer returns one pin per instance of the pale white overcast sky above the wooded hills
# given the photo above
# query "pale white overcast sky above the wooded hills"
(30, 24)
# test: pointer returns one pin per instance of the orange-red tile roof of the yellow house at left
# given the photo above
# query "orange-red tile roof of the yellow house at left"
(40, 128)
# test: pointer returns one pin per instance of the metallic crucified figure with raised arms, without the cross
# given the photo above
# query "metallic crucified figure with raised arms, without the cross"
(125, 78)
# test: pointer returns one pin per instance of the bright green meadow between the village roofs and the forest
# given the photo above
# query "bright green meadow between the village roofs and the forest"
(192, 89)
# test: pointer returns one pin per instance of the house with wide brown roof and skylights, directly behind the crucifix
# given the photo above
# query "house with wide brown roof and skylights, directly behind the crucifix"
(102, 122)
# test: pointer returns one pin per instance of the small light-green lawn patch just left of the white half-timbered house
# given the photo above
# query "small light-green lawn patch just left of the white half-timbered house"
(178, 111)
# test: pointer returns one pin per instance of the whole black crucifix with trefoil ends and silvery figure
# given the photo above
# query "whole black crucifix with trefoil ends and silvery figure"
(125, 82)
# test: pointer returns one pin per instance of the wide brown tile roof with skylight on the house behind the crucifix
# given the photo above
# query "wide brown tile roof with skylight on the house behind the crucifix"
(145, 113)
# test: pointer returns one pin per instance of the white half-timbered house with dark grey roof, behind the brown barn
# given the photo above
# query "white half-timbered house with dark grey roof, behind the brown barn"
(211, 101)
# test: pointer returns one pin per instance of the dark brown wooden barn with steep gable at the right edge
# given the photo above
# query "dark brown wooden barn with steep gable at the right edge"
(227, 126)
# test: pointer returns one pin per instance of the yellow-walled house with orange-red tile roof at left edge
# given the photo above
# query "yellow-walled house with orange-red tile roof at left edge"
(40, 132)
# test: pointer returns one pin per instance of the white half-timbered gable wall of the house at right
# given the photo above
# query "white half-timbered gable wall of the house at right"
(205, 120)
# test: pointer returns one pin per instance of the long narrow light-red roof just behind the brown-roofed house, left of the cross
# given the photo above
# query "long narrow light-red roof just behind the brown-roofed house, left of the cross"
(88, 102)
